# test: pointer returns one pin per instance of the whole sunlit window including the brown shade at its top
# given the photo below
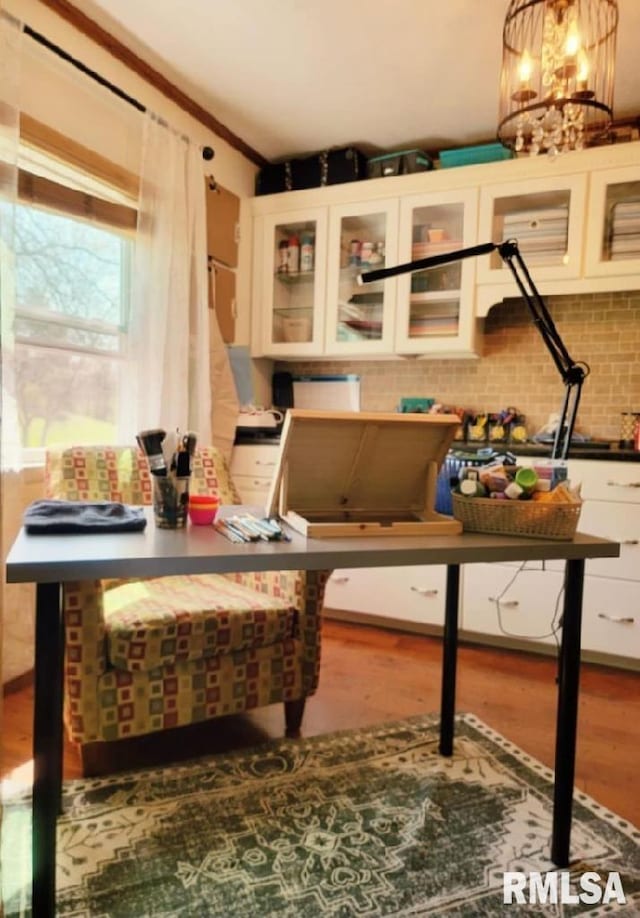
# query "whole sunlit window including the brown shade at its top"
(71, 315)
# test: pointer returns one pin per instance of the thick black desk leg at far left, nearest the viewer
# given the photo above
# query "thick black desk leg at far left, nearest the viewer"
(47, 745)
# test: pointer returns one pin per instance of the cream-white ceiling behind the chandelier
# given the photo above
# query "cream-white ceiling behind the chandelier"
(291, 77)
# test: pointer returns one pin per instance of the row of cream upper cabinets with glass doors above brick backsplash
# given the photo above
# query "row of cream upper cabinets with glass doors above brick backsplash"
(576, 220)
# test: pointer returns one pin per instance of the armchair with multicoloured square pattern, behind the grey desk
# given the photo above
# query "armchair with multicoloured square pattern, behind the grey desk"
(146, 655)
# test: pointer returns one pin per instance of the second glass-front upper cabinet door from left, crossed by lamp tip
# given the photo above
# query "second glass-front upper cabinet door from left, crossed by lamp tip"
(362, 237)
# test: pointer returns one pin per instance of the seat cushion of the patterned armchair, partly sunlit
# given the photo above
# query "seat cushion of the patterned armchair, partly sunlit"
(167, 620)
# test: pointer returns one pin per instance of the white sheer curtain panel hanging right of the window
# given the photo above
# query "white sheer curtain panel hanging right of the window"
(169, 372)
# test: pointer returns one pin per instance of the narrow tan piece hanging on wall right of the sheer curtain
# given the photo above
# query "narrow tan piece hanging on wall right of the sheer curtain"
(224, 398)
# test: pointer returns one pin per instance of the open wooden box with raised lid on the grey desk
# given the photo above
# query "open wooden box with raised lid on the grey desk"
(343, 473)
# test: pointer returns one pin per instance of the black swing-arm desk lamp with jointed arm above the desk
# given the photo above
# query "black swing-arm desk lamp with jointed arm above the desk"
(573, 374)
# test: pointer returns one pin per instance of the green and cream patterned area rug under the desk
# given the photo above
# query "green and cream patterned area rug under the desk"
(364, 823)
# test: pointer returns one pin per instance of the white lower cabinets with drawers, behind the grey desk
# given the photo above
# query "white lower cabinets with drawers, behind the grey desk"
(505, 604)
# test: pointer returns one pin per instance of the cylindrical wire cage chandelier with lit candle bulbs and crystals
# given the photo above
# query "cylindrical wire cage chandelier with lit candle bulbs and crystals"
(556, 91)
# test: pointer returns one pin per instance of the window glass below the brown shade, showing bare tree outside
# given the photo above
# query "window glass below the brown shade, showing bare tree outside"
(71, 315)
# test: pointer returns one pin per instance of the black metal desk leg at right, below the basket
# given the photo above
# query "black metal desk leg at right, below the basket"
(567, 718)
